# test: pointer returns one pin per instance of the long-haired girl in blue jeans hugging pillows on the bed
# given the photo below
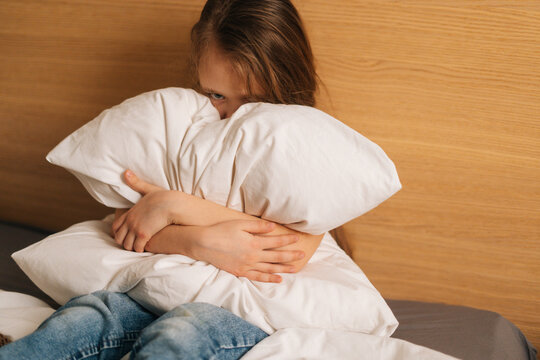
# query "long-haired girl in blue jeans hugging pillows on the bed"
(242, 51)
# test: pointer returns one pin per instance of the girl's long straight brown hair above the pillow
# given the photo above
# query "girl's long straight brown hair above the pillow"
(265, 41)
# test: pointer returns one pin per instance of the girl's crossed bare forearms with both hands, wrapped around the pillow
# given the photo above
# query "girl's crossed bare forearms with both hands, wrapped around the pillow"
(231, 240)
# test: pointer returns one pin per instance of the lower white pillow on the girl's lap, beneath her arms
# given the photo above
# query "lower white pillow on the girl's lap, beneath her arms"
(331, 292)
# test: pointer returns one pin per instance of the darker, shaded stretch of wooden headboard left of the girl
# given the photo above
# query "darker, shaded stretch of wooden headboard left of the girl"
(62, 64)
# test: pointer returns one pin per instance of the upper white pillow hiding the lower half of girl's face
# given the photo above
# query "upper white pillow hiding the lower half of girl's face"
(291, 164)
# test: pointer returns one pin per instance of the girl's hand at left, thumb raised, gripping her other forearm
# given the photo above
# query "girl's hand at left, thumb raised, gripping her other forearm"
(134, 228)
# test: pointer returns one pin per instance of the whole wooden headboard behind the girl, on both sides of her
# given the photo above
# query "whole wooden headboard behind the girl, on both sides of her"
(449, 89)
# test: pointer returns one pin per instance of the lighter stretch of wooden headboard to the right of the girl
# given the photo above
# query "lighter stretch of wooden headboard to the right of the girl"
(451, 90)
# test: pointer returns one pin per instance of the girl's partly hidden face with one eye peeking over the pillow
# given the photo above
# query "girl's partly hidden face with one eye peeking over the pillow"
(221, 83)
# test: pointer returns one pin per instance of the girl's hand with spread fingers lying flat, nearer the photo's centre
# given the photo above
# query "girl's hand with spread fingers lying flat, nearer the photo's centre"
(240, 248)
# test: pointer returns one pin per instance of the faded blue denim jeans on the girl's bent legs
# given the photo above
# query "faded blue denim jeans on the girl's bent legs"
(106, 325)
